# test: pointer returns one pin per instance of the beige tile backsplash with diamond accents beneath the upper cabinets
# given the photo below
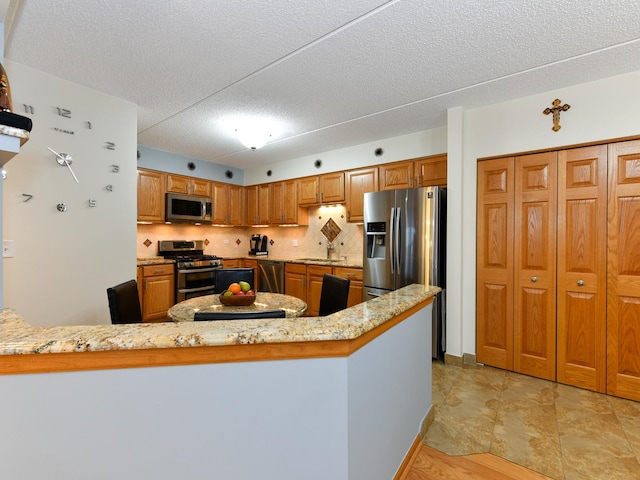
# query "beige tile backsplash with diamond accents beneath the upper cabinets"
(233, 241)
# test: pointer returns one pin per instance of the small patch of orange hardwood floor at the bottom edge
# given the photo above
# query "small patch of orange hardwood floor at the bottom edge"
(430, 464)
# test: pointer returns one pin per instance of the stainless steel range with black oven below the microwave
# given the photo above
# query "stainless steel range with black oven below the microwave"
(195, 271)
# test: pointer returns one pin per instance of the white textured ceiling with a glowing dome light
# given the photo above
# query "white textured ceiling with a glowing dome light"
(326, 75)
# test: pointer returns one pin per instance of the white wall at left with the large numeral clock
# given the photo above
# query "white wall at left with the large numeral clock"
(65, 261)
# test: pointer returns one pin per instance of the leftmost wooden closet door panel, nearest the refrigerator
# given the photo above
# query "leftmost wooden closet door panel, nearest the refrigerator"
(494, 283)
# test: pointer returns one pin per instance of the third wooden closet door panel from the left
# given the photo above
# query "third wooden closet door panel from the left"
(582, 321)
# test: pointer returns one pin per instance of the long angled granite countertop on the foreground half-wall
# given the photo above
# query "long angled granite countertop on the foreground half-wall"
(18, 337)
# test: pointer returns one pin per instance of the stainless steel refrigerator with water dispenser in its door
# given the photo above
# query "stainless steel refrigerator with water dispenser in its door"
(404, 243)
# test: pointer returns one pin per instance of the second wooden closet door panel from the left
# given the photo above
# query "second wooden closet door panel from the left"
(535, 265)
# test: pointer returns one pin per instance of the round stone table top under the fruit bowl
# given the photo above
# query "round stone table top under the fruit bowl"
(185, 310)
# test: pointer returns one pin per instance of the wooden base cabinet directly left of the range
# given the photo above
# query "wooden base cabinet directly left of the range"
(158, 291)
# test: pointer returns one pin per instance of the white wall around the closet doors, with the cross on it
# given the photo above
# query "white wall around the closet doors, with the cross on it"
(602, 110)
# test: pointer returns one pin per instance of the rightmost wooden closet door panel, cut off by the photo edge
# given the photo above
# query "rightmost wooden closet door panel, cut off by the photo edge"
(623, 274)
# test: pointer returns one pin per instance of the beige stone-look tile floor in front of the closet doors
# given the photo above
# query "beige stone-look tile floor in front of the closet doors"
(560, 431)
